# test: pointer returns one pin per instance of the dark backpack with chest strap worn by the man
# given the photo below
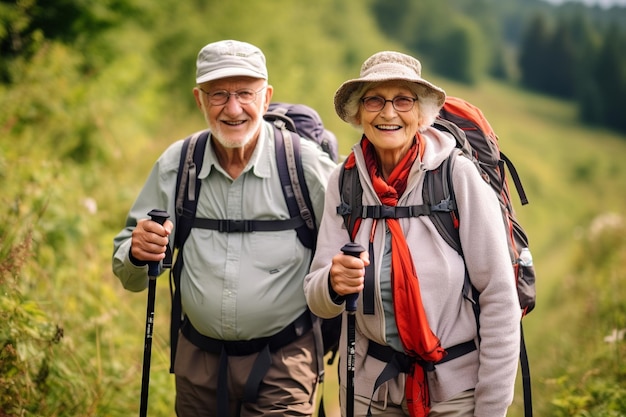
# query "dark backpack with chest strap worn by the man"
(286, 119)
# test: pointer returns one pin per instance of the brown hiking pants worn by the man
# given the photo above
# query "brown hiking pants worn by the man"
(288, 388)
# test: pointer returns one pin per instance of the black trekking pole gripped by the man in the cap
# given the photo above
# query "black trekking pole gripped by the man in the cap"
(158, 216)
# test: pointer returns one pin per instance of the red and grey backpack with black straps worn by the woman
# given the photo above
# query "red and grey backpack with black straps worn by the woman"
(477, 141)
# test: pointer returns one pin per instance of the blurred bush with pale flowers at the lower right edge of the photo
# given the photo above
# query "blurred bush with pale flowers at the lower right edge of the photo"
(595, 387)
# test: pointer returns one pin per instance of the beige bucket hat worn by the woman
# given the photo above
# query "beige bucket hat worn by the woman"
(387, 66)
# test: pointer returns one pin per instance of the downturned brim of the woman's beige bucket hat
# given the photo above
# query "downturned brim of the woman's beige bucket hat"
(345, 91)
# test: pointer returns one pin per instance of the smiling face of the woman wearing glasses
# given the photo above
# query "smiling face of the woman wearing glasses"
(388, 129)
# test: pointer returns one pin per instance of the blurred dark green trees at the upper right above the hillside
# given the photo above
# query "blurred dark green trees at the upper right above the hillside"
(553, 50)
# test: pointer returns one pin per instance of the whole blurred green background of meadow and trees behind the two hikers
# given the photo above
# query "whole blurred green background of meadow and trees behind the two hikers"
(91, 92)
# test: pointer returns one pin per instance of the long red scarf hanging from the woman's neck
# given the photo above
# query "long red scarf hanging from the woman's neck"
(415, 334)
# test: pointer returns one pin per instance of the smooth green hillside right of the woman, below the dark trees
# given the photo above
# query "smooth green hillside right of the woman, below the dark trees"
(572, 175)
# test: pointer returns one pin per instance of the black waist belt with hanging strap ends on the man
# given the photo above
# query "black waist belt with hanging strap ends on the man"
(263, 346)
